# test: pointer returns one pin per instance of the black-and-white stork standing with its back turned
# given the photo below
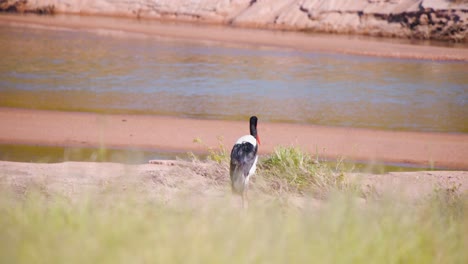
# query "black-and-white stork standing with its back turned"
(244, 161)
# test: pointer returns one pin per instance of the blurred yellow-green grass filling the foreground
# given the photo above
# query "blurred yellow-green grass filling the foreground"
(44, 229)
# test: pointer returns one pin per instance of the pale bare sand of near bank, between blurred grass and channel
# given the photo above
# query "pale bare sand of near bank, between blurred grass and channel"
(196, 184)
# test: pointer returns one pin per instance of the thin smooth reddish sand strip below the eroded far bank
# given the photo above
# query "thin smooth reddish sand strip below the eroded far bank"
(238, 36)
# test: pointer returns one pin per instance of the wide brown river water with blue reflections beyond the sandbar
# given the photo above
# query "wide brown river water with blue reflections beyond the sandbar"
(114, 72)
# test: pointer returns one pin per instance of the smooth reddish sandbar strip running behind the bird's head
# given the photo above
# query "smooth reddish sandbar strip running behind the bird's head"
(54, 128)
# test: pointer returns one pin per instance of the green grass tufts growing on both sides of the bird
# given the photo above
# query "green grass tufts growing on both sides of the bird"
(290, 169)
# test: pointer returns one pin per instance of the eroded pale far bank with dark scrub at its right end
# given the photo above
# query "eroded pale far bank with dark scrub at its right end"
(420, 19)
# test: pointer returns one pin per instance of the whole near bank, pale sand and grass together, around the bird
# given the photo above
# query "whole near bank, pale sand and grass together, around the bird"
(302, 210)
